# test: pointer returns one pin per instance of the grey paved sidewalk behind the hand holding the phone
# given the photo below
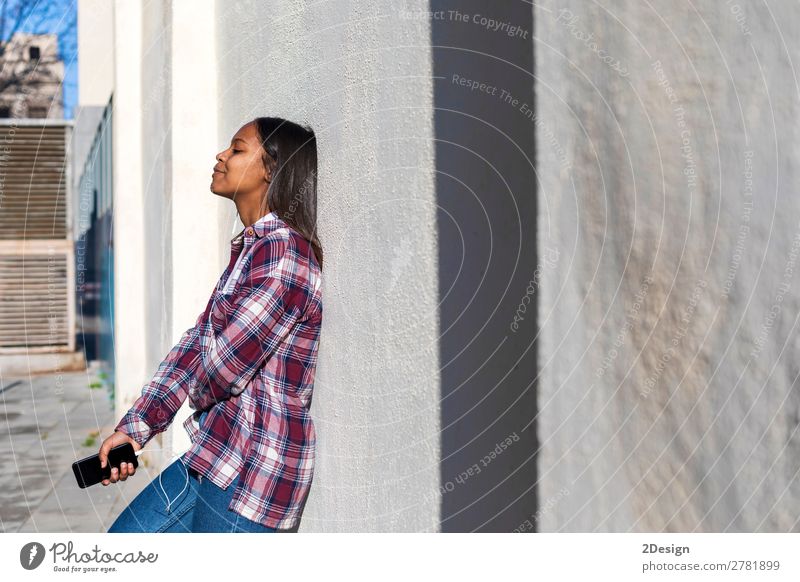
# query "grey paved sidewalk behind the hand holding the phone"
(46, 423)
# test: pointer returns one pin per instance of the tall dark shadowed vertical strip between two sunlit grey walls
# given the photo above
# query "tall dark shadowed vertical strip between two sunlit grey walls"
(484, 127)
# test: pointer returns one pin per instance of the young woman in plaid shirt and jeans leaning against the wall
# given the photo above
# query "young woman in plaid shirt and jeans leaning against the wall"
(247, 366)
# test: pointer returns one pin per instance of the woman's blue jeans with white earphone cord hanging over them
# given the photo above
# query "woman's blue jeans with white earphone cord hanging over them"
(199, 506)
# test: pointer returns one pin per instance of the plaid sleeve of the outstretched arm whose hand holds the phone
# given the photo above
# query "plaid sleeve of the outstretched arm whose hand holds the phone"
(161, 398)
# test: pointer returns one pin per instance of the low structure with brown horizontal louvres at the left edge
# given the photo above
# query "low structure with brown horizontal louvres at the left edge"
(37, 274)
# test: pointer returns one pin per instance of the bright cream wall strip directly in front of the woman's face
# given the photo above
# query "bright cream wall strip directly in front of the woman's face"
(198, 226)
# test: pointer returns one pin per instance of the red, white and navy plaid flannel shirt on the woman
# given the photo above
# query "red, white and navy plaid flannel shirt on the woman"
(250, 361)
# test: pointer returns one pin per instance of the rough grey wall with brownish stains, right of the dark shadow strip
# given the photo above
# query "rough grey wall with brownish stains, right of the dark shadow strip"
(667, 154)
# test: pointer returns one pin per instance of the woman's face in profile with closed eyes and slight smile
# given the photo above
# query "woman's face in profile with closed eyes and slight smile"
(239, 172)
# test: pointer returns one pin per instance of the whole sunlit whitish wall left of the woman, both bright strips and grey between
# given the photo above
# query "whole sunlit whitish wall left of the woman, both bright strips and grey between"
(165, 131)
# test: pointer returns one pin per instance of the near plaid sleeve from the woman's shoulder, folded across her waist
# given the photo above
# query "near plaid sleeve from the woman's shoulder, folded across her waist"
(258, 317)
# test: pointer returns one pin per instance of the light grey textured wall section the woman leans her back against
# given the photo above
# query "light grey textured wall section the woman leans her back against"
(363, 81)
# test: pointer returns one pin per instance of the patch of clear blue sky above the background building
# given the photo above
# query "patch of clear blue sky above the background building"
(59, 17)
